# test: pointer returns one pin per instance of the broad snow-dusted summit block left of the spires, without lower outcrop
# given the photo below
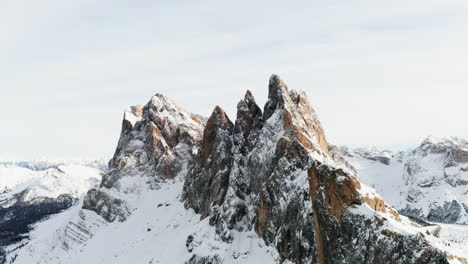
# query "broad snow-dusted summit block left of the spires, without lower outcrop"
(156, 137)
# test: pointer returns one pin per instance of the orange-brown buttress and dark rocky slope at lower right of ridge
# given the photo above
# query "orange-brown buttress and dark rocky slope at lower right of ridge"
(346, 237)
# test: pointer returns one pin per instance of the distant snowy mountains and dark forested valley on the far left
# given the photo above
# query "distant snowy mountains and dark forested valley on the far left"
(33, 190)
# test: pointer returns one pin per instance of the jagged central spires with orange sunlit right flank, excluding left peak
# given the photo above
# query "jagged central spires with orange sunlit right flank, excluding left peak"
(280, 180)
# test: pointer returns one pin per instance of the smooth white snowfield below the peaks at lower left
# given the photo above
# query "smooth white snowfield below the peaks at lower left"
(156, 232)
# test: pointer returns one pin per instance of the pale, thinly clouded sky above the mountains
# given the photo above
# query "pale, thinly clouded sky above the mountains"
(383, 73)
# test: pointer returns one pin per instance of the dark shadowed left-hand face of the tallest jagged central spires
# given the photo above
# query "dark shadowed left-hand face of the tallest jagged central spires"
(265, 156)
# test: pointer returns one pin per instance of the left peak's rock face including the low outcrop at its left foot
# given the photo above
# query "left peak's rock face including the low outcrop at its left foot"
(157, 141)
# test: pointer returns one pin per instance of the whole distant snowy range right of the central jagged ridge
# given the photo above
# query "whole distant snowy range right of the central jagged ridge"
(429, 183)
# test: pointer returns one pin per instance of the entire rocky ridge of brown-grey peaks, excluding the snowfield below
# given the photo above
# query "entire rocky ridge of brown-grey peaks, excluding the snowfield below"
(268, 171)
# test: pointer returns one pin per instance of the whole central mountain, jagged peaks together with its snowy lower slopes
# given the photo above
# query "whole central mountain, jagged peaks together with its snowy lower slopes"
(266, 188)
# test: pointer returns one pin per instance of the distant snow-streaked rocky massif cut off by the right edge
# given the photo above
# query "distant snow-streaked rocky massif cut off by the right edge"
(436, 181)
